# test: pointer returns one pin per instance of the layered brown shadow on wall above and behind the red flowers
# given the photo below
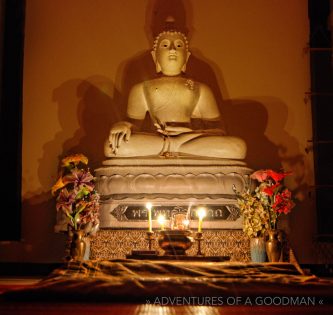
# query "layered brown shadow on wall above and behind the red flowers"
(250, 119)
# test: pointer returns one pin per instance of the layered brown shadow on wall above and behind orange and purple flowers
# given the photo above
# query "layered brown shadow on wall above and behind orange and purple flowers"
(90, 104)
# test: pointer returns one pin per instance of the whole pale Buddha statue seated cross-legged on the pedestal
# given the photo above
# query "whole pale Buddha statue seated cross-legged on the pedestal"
(173, 102)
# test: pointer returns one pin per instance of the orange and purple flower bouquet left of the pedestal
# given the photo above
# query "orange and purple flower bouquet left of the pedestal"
(75, 193)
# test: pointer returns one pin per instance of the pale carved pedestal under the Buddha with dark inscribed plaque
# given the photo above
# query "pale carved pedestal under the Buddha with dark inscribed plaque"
(171, 185)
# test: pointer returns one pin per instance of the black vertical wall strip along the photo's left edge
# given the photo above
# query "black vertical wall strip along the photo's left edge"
(11, 115)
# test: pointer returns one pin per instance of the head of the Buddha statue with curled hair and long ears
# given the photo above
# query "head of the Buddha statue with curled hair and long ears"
(170, 55)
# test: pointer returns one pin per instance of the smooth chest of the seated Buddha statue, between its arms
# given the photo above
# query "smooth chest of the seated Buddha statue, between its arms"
(171, 97)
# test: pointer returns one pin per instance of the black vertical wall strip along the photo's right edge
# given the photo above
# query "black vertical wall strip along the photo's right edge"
(322, 110)
